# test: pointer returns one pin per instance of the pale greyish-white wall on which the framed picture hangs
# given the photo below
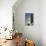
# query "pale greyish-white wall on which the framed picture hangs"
(30, 32)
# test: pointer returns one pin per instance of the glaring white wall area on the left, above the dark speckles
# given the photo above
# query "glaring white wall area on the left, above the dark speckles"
(6, 13)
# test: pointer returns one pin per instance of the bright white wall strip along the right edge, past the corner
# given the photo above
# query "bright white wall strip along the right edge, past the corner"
(43, 22)
